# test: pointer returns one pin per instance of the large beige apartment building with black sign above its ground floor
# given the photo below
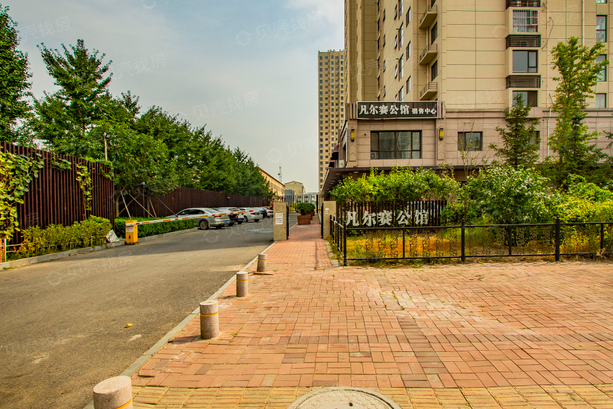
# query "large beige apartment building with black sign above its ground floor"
(427, 81)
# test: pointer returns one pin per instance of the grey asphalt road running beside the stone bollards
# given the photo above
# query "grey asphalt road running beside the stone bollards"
(63, 323)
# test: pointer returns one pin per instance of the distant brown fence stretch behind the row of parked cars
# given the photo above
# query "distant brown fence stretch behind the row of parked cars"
(182, 198)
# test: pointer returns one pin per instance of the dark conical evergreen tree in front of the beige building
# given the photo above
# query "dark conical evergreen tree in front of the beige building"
(520, 140)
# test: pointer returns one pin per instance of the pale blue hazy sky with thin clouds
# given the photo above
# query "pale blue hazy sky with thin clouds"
(246, 69)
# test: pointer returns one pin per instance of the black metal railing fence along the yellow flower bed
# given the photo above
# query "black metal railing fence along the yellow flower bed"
(472, 241)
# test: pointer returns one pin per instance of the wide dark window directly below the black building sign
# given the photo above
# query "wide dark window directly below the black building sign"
(395, 145)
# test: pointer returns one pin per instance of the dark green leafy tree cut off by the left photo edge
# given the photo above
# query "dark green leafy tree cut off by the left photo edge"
(14, 75)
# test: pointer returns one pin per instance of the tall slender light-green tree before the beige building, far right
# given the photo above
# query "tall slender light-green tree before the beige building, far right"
(571, 140)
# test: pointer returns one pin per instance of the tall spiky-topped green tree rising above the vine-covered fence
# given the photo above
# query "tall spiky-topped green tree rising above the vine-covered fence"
(66, 117)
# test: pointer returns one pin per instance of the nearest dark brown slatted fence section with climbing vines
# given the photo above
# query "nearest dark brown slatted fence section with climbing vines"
(55, 197)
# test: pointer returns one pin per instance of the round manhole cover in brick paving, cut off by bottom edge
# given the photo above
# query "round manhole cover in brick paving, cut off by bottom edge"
(343, 398)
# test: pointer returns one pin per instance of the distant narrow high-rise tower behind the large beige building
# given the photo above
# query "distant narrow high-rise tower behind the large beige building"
(331, 69)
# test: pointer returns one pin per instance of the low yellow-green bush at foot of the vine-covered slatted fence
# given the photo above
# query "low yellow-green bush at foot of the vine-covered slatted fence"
(54, 238)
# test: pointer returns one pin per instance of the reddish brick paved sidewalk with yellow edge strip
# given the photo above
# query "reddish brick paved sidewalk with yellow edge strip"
(485, 335)
